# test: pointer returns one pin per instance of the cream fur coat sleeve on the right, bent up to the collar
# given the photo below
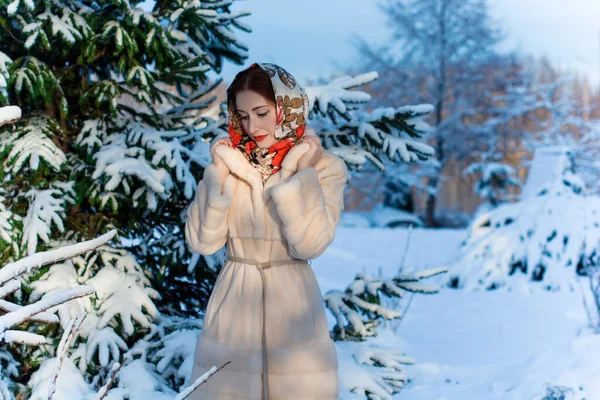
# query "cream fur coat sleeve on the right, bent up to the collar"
(309, 204)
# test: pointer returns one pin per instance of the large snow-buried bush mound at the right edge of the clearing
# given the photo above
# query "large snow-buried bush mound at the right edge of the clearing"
(547, 237)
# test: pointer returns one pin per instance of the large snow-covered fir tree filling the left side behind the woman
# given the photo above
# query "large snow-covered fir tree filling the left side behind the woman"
(110, 138)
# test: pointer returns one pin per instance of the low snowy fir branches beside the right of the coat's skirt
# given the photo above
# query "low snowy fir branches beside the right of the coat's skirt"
(365, 369)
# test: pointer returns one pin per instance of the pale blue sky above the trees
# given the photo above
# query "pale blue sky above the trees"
(312, 38)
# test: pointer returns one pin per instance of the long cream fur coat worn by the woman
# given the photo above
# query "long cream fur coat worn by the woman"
(292, 215)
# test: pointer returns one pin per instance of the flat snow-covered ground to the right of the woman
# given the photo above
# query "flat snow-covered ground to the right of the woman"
(471, 345)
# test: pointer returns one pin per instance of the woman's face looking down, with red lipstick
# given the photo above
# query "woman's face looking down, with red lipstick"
(258, 117)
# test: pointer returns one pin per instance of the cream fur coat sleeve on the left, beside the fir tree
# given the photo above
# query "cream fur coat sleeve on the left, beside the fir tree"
(206, 227)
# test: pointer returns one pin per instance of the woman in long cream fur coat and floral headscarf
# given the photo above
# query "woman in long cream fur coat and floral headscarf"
(274, 196)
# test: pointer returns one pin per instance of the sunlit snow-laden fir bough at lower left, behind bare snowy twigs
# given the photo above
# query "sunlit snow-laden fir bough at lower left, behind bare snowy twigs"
(124, 297)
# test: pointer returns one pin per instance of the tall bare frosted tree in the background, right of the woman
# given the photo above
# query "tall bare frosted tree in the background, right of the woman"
(442, 52)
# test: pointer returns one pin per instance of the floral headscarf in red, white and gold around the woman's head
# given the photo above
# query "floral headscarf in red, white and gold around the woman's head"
(291, 111)
